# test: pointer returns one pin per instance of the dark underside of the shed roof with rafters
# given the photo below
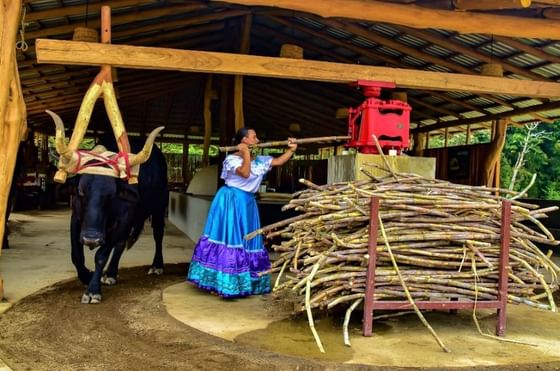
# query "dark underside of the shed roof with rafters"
(149, 98)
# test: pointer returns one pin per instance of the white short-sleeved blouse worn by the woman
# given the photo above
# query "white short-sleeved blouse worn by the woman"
(259, 167)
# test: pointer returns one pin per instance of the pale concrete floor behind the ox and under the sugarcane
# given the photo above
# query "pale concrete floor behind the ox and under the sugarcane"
(39, 259)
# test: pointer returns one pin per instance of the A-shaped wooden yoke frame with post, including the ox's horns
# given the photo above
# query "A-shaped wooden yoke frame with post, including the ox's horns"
(125, 164)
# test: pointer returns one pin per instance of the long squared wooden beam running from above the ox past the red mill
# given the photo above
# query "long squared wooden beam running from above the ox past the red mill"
(125, 56)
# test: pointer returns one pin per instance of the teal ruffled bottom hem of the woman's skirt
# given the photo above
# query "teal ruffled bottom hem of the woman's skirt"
(228, 285)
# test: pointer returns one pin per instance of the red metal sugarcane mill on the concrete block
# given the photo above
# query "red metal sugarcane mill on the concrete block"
(388, 120)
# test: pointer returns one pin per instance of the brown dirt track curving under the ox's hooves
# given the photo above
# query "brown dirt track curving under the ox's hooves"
(130, 330)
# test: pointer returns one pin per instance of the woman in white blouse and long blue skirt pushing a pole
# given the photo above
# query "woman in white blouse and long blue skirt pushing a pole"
(223, 261)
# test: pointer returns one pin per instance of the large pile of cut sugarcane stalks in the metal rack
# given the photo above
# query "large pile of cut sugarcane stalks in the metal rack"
(436, 240)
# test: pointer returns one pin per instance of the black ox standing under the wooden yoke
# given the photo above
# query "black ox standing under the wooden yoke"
(109, 214)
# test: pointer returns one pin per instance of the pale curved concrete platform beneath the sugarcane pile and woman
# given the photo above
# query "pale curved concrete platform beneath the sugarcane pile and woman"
(399, 341)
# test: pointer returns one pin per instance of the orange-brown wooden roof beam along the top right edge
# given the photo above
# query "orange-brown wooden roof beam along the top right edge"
(417, 17)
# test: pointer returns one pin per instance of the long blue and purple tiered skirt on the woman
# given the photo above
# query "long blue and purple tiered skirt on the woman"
(223, 262)
